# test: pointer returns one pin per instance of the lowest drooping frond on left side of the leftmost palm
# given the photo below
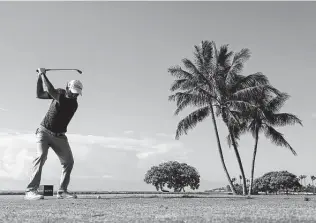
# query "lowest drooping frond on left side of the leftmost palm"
(191, 121)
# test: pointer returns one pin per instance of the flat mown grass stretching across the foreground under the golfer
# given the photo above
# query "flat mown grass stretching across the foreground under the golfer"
(138, 208)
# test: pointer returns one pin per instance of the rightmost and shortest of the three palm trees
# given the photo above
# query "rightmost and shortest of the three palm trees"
(264, 117)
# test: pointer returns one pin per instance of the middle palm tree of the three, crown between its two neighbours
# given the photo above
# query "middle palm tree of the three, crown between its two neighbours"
(235, 93)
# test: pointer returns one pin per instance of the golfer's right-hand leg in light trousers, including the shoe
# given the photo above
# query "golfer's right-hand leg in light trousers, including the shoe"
(62, 148)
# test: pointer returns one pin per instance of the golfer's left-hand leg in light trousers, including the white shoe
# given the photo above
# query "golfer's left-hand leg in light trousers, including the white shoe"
(42, 147)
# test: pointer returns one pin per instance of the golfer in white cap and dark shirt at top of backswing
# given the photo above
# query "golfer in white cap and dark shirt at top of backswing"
(51, 133)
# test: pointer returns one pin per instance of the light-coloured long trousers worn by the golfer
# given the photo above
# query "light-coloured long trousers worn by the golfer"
(59, 143)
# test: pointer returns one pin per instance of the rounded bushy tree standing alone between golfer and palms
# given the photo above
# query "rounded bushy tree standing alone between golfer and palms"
(173, 175)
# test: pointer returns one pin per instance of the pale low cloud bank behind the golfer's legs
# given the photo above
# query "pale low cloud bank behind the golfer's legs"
(96, 157)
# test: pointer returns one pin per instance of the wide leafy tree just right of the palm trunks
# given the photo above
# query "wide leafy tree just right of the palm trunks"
(273, 182)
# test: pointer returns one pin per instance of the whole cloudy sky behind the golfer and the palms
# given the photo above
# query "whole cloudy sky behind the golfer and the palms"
(125, 124)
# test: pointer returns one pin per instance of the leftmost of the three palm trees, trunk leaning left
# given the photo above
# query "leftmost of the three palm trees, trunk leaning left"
(197, 85)
